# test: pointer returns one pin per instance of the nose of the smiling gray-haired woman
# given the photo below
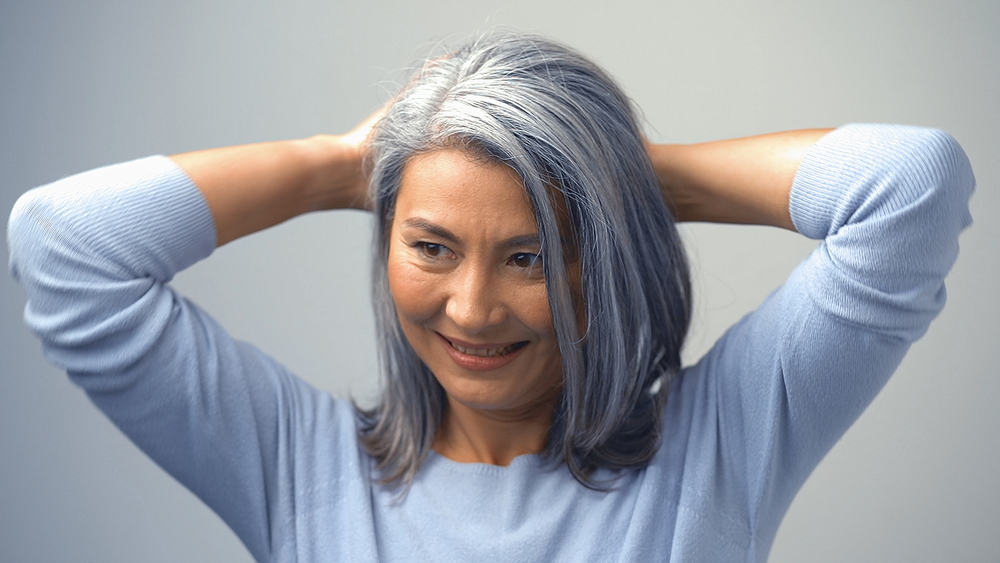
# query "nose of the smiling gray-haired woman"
(473, 302)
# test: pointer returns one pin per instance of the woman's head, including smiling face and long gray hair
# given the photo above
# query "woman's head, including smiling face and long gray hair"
(558, 142)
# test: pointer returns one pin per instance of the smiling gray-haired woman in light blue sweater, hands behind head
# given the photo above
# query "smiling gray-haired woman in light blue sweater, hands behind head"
(531, 297)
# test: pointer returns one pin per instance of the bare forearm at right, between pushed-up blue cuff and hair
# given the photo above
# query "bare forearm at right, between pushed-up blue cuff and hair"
(733, 181)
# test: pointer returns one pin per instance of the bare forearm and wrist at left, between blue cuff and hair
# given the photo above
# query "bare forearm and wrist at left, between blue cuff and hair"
(252, 187)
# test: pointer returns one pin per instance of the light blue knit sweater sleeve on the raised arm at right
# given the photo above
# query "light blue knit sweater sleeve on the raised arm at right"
(783, 384)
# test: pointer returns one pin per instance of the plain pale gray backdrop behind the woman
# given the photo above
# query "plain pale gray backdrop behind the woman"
(90, 83)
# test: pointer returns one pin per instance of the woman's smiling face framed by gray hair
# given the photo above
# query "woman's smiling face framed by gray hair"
(466, 276)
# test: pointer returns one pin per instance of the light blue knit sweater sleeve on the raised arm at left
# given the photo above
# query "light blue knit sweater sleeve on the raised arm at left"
(94, 253)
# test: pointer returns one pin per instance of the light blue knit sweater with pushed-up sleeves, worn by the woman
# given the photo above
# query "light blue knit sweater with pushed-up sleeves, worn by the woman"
(279, 461)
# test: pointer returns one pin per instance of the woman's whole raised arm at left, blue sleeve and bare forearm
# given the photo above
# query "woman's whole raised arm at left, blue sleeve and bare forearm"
(94, 253)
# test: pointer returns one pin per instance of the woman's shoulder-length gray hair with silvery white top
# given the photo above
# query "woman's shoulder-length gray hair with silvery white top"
(563, 125)
